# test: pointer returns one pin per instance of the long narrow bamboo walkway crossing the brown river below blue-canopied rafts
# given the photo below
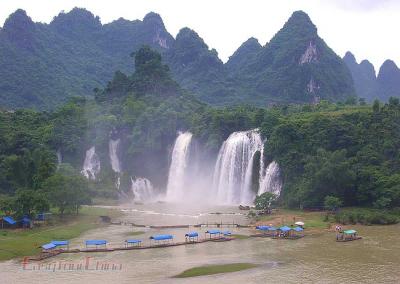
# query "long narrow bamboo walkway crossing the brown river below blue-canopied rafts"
(47, 254)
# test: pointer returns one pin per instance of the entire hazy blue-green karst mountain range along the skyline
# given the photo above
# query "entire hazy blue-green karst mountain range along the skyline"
(42, 65)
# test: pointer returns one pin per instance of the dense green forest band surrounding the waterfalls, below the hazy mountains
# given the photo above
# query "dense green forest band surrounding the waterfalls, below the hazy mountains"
(346, 150)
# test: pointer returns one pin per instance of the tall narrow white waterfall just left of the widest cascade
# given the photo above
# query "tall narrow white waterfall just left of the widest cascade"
(179, 163)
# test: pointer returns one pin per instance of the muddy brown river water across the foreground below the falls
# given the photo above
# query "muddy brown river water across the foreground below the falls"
(313, 259)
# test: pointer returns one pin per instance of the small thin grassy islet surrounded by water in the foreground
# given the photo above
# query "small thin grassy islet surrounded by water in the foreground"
(215, 269)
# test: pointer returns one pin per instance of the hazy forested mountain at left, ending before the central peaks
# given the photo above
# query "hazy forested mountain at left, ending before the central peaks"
(42, 65)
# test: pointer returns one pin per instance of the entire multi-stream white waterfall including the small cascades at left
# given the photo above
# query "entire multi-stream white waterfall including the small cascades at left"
(195, 177)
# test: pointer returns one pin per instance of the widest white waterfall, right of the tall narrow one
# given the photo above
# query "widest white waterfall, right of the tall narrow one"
(233, 170)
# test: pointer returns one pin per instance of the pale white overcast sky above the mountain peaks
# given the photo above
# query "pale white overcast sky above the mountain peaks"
(368, 28)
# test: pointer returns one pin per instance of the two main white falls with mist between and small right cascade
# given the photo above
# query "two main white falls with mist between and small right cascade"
(231, 182)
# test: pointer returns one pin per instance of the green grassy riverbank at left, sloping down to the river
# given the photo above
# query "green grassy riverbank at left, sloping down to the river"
(23, 242)
